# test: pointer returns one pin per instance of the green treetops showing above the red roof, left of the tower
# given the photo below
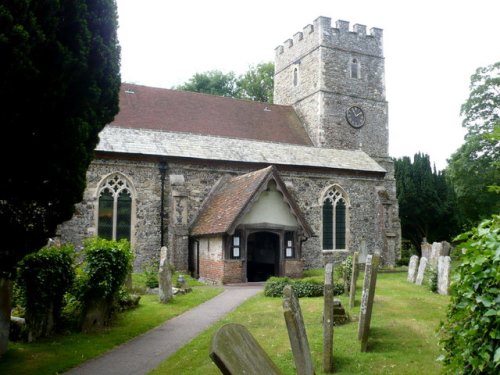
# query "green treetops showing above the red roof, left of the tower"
(256, 84)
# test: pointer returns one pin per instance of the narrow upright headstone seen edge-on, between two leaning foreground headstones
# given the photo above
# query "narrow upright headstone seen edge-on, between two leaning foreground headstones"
(328, 320)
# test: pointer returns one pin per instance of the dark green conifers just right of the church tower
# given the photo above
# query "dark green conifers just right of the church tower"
(426, 201)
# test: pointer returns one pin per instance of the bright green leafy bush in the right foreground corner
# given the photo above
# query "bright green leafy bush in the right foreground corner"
(470, 337)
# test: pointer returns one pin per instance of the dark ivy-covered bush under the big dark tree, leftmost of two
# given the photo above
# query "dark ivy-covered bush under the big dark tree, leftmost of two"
(43, 279)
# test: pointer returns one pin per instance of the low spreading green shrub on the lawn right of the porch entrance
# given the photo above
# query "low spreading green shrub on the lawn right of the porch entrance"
(307, 287)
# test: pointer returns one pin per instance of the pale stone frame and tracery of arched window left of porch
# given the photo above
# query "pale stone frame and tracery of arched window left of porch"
(127, 185)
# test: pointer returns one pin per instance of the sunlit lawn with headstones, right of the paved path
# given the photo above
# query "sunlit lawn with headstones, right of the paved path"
(402, 338)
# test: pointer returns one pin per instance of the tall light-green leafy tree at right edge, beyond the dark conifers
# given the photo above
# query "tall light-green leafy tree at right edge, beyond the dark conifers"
(474, 169)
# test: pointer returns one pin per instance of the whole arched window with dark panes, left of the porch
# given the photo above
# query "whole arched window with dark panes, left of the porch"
(114, 217)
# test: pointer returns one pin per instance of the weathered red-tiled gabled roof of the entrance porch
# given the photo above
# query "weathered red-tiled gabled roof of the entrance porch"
(232, 199)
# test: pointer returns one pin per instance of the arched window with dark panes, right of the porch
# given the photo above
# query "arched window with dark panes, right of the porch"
(334, 220)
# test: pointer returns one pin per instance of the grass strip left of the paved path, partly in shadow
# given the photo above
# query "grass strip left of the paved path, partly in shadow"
(60, 353)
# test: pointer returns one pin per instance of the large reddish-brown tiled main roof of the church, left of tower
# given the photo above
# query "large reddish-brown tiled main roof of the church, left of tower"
(143, 107)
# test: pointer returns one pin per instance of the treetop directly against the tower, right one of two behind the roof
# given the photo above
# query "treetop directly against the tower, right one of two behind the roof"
(258, 83)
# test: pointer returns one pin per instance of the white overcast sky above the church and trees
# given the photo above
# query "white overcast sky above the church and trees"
(431, 49)
